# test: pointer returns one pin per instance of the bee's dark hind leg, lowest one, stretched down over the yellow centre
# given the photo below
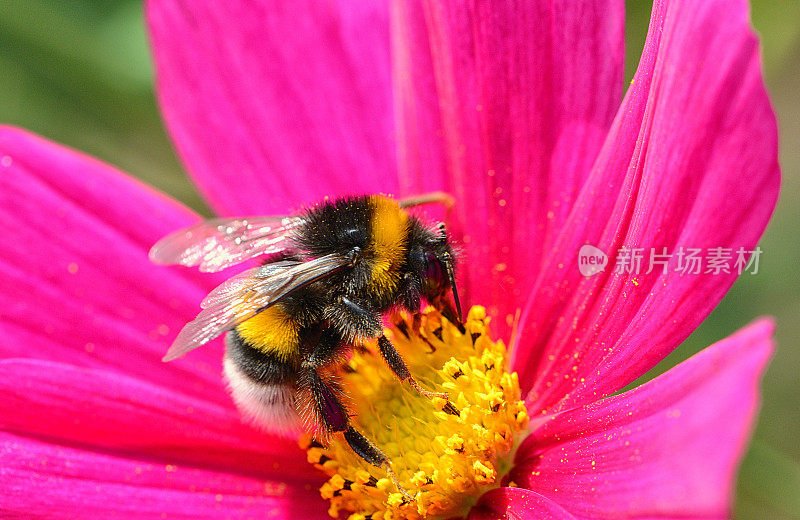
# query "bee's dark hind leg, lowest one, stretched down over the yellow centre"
(334, 418)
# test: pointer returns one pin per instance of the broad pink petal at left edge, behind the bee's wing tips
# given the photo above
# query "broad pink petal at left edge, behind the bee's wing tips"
(75, 281)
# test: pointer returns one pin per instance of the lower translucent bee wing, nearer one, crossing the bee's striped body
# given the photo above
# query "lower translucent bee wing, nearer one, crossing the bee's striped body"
(244, 295)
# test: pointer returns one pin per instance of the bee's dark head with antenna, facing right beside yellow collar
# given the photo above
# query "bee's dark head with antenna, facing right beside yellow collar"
(433, 263)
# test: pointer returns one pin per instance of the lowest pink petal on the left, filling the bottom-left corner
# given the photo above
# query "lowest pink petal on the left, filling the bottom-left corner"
(43, 480)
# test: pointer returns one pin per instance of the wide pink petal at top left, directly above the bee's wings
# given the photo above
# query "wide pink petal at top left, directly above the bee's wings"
(275, 105)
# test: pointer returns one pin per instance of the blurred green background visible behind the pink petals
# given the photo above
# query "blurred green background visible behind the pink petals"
(79, 73)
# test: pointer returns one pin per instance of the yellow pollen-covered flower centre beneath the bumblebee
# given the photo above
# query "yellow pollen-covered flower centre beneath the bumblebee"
(445, 455)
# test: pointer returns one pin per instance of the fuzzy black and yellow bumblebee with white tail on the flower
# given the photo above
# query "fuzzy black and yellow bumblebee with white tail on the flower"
(329, 276)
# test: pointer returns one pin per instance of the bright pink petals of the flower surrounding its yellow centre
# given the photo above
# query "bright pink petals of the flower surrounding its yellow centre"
(512, 109)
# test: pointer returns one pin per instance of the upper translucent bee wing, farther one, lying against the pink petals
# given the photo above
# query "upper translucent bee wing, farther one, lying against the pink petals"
(219, 243)
